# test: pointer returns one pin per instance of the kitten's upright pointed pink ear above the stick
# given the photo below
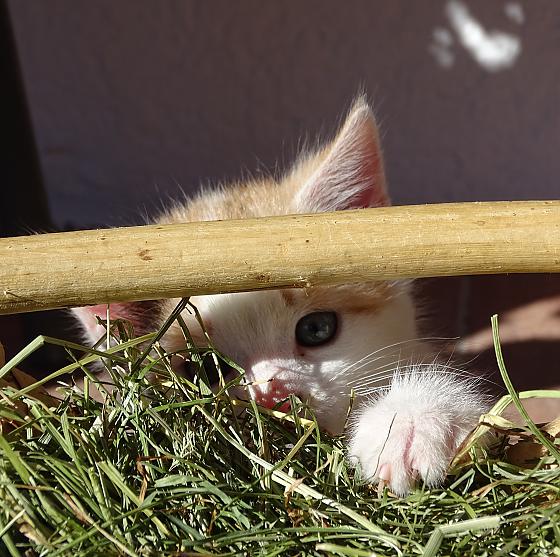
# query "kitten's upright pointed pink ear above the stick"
(350, 173)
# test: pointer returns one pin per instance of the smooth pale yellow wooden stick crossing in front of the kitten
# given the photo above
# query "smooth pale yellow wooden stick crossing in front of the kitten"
(121, 264)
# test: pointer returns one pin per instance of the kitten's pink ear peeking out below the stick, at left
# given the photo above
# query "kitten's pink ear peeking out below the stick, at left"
(144, 317)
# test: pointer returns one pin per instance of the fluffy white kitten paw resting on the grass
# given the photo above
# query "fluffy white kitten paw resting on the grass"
(413, 431)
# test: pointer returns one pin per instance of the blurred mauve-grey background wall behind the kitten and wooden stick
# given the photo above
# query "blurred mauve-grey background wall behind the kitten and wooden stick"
(133, 102)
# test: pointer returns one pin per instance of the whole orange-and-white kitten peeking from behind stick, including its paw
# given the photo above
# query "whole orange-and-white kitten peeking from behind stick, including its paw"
(322, 343)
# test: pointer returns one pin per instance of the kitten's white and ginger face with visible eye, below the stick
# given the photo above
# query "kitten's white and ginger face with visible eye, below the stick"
(306, 342)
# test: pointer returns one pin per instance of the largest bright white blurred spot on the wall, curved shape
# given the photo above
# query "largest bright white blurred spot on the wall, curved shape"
(493, 50)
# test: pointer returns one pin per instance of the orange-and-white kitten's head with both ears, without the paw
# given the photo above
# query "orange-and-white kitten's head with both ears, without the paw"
(310, 342)
